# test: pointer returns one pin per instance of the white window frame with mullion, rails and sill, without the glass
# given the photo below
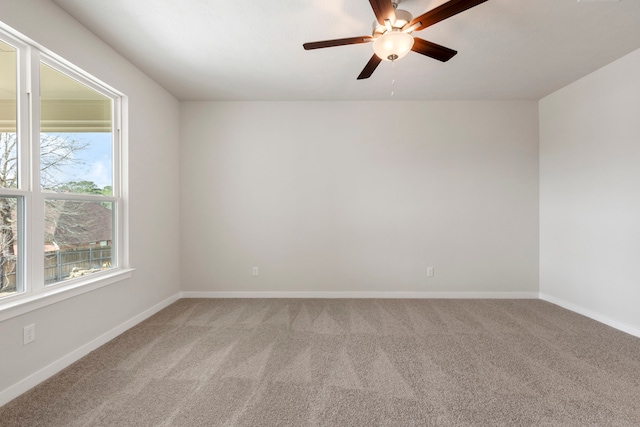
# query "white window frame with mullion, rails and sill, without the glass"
(30, 271)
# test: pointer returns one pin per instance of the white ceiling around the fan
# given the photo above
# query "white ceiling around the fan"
(252, 49)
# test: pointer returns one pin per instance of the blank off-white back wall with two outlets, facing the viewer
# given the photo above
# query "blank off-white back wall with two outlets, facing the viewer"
(360, 196)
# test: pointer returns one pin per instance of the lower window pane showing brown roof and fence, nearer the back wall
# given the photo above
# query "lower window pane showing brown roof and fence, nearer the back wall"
(78, 238)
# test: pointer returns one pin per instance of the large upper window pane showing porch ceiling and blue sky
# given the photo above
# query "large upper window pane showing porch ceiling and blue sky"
(75, 136)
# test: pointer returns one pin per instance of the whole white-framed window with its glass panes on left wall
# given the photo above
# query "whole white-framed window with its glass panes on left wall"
(61, 205)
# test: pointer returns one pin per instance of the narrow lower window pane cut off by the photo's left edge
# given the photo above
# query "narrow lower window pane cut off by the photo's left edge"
(10, 223)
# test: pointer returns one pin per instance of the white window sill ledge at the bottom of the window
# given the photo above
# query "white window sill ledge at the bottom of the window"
(21, 304)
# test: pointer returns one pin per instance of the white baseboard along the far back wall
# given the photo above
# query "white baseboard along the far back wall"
(356, 294)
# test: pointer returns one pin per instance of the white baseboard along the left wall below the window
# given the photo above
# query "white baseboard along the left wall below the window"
(48, 371)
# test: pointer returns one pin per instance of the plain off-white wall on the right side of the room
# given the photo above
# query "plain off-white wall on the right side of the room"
(590, 195)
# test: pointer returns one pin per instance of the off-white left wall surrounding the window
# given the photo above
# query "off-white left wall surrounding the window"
(63, 328)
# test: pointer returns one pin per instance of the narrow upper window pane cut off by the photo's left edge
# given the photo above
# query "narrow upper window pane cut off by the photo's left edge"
(8, 136)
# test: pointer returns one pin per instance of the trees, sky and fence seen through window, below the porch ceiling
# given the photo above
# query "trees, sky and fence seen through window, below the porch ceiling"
(78, 233)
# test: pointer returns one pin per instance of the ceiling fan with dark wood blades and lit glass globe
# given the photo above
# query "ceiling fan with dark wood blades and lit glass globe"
(392, 30)
